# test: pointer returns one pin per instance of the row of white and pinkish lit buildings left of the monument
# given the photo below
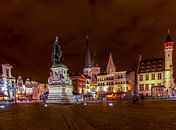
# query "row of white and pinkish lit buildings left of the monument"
(17, 89)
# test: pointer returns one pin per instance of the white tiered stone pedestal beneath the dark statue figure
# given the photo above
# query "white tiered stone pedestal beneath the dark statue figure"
(60, 86)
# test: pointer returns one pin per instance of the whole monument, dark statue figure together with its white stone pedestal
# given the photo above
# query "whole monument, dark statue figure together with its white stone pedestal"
(60, 85)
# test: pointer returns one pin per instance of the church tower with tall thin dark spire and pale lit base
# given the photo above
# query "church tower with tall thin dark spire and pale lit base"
(88, 63)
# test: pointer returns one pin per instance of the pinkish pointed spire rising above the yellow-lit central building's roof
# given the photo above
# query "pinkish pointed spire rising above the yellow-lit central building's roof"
(110, 67)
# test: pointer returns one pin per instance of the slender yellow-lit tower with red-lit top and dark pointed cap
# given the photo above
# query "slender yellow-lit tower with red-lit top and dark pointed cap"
(168, 74)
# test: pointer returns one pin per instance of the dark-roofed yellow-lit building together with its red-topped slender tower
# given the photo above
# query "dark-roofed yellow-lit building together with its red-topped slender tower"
(155, 76)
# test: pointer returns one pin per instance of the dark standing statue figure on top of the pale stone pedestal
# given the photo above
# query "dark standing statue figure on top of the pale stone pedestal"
(57, 52)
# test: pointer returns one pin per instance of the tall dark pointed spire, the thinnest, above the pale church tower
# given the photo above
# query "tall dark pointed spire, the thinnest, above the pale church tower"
(88, 63)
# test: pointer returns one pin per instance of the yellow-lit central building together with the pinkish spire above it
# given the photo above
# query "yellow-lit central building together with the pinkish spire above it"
(112, 82)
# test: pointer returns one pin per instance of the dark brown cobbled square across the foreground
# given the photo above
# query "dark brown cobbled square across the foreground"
(159, 115)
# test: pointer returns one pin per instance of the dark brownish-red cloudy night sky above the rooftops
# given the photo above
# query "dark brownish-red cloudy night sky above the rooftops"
(127, 28)
